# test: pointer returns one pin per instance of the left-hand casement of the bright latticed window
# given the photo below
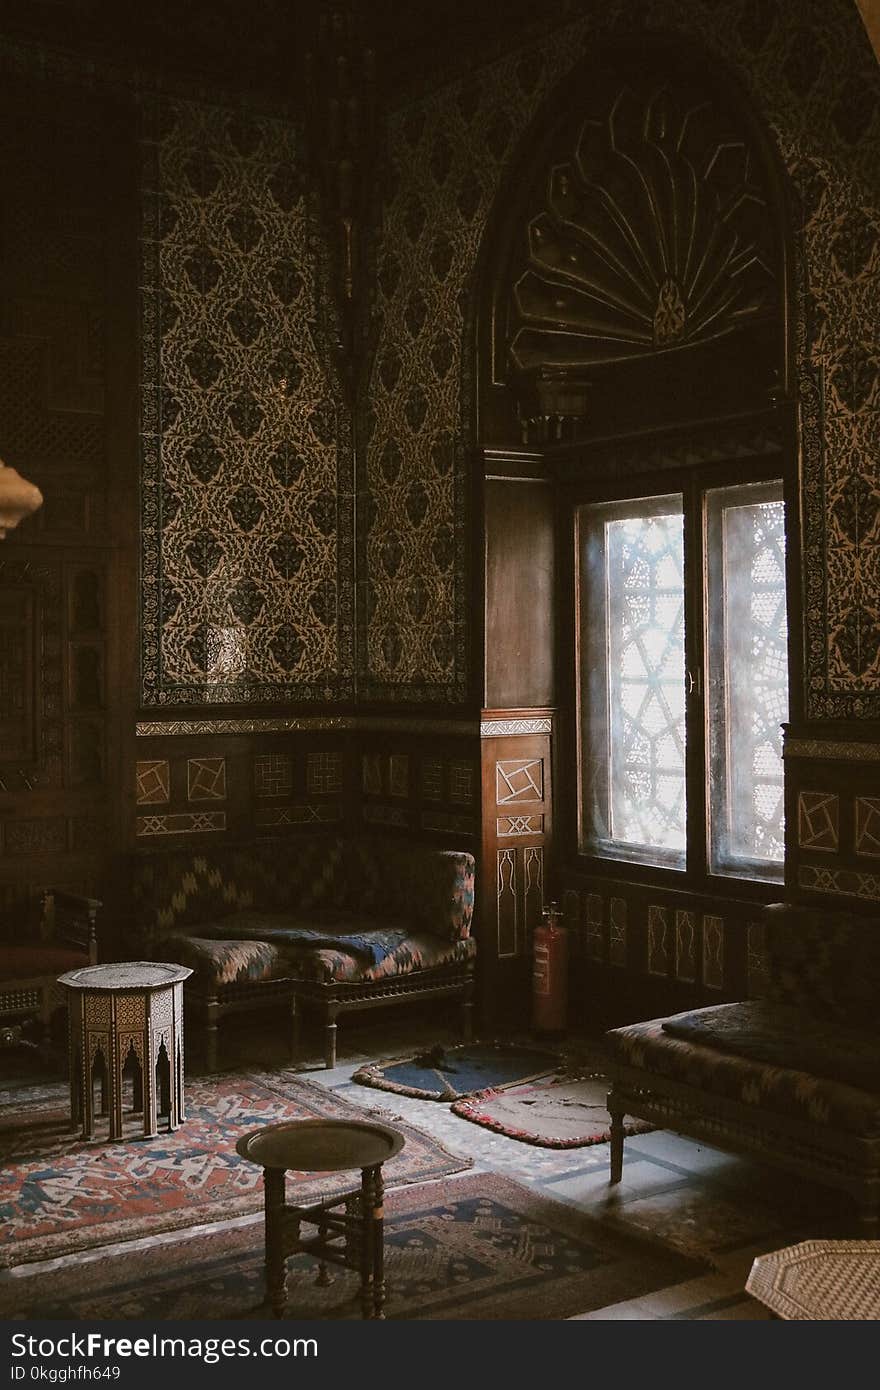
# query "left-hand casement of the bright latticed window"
(633, 679)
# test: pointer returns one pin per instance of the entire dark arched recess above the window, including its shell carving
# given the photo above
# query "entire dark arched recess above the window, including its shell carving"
(642, 269)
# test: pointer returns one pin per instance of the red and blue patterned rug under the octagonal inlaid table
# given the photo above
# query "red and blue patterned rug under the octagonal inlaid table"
(60, 1193)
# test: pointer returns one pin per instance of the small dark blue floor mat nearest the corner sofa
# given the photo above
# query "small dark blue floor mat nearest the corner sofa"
(446, 1074)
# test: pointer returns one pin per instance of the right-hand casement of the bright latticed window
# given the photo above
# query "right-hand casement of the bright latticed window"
(749, 678)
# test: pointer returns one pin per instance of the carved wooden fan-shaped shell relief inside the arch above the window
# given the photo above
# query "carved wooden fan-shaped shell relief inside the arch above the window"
(654, 236)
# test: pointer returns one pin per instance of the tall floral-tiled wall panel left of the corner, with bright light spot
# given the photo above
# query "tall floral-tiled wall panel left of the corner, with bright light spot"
(247, 500)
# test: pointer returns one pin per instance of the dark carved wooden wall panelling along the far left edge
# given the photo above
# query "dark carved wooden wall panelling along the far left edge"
(58, 657)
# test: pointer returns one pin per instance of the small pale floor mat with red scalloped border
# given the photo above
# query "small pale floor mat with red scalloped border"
(554, 1113)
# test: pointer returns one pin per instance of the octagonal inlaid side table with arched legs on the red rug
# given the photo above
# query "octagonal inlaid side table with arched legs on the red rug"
(122, 1013)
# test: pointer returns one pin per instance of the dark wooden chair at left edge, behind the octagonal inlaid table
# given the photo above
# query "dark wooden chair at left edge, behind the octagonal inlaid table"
(30, 967)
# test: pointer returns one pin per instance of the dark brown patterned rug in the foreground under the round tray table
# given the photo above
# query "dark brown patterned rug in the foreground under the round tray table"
(472, 1248)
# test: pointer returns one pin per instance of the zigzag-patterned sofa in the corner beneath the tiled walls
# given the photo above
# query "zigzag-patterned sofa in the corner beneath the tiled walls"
(337, 922)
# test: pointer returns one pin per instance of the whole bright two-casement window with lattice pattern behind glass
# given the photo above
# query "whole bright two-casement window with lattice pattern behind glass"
(678, 769)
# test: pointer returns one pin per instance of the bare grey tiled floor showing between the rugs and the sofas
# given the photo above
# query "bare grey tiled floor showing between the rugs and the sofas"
(675, 1192)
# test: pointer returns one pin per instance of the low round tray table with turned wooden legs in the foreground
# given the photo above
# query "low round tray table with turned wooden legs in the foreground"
(350, 1227)
